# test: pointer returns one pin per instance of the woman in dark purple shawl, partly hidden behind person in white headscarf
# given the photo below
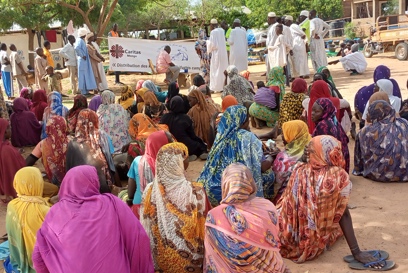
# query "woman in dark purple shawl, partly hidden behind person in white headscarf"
(364, 94)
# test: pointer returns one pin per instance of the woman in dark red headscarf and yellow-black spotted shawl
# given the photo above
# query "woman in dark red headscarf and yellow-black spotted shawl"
(291, 106)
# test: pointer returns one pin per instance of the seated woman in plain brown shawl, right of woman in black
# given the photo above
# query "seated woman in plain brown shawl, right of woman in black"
(201, 113)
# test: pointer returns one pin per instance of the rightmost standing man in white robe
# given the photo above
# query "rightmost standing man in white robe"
(318, 29)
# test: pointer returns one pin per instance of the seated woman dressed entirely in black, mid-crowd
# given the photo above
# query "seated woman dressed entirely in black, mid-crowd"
(181, 127)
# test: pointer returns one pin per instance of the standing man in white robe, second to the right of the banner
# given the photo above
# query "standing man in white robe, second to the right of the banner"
(239, 47)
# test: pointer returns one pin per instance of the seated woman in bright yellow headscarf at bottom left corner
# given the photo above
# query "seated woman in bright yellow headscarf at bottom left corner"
(25, 215)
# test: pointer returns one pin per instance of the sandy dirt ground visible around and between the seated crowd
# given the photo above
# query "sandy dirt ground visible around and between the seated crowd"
(379, 216)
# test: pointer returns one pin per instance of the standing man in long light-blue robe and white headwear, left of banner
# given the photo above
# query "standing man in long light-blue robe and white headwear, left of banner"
(86, 79)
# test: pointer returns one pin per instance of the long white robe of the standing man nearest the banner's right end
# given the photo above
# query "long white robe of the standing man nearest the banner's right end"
(219, 59)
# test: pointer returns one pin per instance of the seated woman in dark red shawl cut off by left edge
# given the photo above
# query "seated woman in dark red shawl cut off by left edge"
(10, 162)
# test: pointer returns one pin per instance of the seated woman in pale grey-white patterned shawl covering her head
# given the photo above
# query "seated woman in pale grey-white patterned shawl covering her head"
(114, 120)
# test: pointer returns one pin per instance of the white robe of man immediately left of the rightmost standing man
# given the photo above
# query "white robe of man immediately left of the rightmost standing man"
(299, 59)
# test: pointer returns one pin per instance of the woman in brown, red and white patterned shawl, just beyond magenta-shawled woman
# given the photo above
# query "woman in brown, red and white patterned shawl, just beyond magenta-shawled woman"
(87, 132)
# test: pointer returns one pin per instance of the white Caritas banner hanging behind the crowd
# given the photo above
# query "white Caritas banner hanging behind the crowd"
(127, 54)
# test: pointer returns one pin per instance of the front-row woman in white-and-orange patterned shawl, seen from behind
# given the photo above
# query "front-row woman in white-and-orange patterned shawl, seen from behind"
(173, 213)
